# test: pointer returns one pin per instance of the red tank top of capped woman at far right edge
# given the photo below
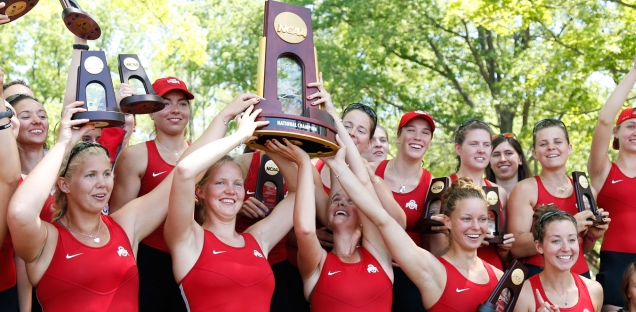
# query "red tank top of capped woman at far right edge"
(615, 196)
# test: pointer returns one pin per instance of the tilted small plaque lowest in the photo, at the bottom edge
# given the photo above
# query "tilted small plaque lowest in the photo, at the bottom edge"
(505, 295)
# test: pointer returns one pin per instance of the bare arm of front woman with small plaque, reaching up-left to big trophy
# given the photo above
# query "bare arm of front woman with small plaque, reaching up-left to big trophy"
(420, 265)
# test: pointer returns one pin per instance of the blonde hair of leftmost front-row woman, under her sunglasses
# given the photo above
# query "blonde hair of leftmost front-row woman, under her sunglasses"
(61, 201)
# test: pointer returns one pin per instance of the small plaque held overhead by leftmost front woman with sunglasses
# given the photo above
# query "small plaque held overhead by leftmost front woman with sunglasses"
(95, 89)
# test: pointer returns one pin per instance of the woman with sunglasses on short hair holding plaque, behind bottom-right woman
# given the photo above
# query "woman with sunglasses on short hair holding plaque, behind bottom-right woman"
(551, 147)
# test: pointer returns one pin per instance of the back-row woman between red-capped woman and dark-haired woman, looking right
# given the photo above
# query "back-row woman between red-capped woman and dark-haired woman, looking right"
(473, 148)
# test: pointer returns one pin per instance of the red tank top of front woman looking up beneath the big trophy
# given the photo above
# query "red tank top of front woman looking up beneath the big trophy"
(361, 286)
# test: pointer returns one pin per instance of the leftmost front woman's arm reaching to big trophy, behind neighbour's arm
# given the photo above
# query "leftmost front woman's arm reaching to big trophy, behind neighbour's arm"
(143, 215)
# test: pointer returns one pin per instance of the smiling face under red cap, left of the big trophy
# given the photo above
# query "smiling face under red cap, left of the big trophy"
(173, 119)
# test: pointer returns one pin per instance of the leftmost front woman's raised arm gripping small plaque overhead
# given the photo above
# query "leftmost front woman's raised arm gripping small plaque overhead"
(29, 232)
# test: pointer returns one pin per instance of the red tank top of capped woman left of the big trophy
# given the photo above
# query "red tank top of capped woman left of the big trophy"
(157, 169)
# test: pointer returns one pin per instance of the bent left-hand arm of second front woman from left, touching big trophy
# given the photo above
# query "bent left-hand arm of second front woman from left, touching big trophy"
(180, 228)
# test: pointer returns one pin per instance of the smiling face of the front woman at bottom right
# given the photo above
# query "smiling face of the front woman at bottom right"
(560, 246)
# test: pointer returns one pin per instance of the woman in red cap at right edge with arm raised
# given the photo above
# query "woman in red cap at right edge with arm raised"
(615, 182)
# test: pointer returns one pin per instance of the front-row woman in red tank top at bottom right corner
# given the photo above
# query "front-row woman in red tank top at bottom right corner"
(557, 287)
